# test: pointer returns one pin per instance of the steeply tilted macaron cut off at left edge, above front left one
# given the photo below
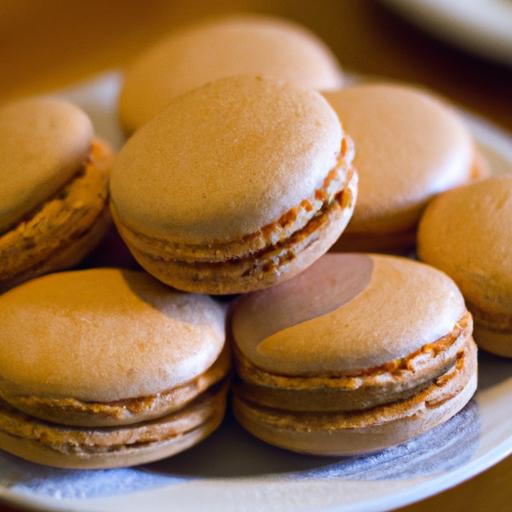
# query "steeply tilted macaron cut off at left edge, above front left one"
(54, 193)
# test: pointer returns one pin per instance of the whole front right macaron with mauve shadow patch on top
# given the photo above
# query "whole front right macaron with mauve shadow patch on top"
(358, 353)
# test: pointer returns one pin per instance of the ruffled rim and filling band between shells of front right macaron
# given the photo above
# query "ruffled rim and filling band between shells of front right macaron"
(362, 389)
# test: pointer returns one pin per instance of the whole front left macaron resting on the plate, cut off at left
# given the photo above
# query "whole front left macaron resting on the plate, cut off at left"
(107, 367)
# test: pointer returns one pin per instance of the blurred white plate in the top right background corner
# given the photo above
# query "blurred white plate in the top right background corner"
(480, 26)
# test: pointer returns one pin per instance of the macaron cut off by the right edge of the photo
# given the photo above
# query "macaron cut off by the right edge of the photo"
(466, 232)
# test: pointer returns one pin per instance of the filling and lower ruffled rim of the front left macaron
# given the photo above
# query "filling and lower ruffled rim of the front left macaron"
(206, 409)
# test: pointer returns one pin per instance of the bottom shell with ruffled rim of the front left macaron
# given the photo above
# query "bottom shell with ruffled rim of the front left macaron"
(75, 448)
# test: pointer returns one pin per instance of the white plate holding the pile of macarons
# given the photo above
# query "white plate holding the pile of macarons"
(233, 472)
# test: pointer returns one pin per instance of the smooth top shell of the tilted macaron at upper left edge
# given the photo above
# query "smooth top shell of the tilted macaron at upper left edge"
(43, 142)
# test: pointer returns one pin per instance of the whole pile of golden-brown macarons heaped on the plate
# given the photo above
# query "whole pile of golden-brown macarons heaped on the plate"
(251, 171)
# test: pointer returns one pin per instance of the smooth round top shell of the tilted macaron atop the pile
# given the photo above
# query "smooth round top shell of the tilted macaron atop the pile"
(225, 160)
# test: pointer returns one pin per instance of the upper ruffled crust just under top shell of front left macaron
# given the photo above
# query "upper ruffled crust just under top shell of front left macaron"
(74, 412)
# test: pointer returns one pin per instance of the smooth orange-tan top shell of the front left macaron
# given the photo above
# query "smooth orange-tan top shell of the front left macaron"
(104, 335)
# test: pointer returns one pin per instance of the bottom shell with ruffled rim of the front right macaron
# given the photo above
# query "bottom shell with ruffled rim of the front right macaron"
(359, 432)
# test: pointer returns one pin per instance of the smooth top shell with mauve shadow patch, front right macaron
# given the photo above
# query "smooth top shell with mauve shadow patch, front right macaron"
(345, 314)
